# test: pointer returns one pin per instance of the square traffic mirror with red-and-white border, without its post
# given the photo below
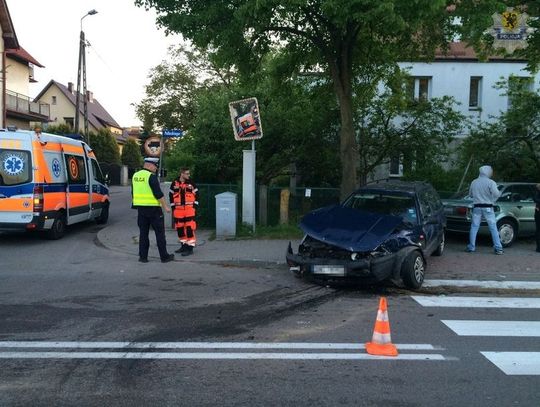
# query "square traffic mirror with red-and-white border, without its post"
(246, 119)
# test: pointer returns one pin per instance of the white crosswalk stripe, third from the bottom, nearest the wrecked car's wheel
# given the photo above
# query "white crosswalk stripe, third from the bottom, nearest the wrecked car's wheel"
(476, 302)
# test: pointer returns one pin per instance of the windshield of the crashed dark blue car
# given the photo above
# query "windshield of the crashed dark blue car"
(385, 204)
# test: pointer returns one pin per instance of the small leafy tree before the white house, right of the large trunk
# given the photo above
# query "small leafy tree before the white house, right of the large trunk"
(393, 124)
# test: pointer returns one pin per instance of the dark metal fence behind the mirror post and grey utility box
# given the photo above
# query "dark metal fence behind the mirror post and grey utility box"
(301, 201)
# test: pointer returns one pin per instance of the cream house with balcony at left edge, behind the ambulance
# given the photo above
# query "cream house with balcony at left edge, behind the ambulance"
(17, 108)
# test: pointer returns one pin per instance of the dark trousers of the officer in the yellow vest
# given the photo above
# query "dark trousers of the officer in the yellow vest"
(151, 216)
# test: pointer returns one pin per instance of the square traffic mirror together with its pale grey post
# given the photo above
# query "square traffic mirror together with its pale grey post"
(246, 124)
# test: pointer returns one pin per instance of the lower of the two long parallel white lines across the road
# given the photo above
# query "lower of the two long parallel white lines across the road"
(215, 356)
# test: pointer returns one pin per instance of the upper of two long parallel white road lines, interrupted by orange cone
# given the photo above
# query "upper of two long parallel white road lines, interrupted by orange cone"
(202, 345)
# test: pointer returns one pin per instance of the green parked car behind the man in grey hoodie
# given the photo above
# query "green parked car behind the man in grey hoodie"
(514, 211)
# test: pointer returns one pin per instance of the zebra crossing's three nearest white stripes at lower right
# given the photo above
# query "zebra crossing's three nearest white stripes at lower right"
(510, 362)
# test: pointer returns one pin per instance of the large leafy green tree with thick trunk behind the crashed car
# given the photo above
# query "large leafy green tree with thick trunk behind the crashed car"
(342, 39)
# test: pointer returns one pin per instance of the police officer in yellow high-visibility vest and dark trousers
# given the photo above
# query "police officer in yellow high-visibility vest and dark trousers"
(148, 199)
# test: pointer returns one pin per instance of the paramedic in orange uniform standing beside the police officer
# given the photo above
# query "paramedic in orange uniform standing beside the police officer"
(183, 198)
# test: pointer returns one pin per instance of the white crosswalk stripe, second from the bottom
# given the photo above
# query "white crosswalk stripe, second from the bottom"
(494, 328)
